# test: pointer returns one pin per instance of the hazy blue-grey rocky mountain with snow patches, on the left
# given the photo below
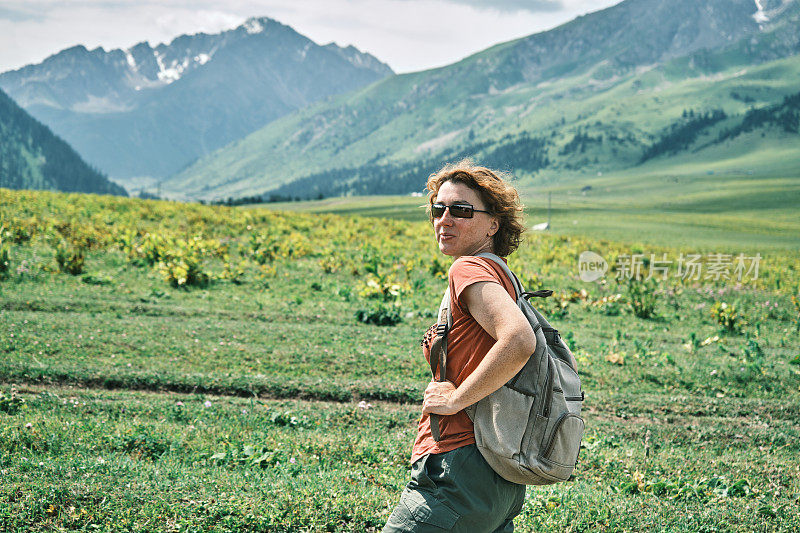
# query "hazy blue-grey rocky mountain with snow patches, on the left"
(149, 111)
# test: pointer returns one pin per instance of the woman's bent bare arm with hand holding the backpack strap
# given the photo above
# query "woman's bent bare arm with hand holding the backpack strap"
(497, 313)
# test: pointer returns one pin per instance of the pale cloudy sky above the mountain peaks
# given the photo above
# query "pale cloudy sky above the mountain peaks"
(409, 35)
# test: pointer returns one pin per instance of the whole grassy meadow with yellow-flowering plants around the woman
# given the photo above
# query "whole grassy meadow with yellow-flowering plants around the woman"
(178, 367)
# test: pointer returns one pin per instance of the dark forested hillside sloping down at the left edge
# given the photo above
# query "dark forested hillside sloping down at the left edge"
(32, 157)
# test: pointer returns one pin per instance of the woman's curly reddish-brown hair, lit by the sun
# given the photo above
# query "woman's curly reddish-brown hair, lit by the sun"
(498, 195)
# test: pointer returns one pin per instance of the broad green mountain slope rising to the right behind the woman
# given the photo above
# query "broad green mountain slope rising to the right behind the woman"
(596, 94)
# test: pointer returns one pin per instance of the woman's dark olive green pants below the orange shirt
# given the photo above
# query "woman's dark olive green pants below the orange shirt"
(456, 491)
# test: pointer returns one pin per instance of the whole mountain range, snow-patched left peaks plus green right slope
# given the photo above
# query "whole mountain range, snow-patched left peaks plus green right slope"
(262, 112)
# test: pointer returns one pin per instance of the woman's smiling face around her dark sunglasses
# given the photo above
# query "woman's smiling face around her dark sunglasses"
(463, 236)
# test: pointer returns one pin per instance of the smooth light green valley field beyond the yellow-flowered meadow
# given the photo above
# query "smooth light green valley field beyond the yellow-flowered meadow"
(723, 207)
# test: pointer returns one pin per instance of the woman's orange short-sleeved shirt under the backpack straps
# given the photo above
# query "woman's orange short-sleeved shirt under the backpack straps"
(467, 345)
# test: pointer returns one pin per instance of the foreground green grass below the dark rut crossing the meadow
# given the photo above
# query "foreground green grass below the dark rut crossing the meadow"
(132, 461)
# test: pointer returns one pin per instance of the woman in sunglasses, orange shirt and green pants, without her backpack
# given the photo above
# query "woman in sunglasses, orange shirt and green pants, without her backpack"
(452, 488)
